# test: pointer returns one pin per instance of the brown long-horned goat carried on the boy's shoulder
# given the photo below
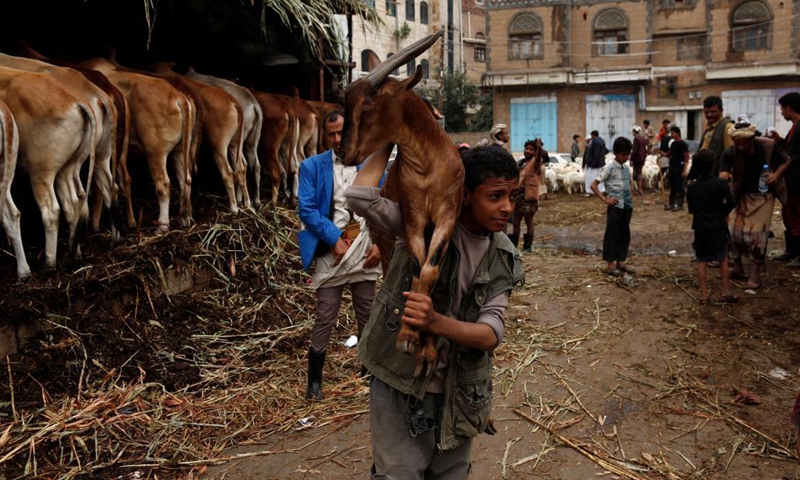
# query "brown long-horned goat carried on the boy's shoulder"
(426, 180)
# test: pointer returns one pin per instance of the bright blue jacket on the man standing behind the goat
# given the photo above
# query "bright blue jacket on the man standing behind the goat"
(315, 191)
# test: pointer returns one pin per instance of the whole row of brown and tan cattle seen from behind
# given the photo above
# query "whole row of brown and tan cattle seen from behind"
(57, 118)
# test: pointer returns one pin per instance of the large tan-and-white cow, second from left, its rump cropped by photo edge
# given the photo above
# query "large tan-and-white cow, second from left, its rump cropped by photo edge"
(57, 133)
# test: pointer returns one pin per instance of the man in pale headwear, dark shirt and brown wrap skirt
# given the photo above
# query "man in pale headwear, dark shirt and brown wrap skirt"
(743, 164)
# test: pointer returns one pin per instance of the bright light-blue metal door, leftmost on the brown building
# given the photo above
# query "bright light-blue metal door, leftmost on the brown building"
(534, 118)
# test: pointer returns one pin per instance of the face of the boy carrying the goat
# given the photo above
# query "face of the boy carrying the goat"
(488, 208)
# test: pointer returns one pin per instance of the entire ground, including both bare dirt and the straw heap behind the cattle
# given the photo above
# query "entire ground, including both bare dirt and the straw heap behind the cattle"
(633, 375)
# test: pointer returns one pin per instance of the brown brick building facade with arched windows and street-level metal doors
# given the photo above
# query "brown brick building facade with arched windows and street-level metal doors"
(565, 67)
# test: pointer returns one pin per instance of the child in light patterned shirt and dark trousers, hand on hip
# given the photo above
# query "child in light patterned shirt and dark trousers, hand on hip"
(617, 179)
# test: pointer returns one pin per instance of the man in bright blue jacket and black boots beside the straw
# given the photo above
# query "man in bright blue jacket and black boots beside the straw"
(337, 242)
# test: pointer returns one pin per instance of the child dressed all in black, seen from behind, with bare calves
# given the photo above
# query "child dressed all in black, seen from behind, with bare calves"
(710, 201)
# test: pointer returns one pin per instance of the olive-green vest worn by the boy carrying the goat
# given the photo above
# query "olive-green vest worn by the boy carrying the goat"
(468, 382)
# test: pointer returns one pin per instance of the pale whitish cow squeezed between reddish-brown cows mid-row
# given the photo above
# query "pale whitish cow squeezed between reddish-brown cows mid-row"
(253, 118)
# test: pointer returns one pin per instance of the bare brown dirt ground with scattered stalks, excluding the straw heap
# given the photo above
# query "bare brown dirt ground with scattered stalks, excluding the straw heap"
(639, 375)
